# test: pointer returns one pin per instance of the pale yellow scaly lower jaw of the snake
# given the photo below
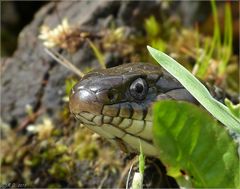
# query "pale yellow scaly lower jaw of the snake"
(125, 132)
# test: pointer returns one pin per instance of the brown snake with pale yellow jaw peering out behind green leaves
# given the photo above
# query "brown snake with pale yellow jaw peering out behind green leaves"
(116, 103)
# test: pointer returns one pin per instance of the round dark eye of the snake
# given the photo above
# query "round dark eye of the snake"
(138, 89)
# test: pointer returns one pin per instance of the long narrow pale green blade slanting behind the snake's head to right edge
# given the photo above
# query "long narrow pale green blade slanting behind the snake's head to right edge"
(197, 89)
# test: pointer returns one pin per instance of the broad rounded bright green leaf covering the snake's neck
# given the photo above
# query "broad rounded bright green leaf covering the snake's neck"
(196, 150)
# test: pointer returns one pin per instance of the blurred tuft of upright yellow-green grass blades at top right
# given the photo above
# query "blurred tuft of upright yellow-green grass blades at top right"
(215, 49)
